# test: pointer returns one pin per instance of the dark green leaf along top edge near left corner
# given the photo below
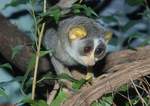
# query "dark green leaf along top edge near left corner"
(15, 3)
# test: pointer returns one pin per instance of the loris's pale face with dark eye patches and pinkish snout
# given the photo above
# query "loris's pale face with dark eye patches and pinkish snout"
(89, 50)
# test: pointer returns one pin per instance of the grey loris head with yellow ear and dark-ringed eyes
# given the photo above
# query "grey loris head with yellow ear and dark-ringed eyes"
(83, 39)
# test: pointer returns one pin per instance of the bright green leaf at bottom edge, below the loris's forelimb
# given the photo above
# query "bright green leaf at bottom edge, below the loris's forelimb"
(61, 97)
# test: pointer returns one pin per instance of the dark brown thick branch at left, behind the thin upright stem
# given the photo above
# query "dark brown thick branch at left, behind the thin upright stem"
(11, 37)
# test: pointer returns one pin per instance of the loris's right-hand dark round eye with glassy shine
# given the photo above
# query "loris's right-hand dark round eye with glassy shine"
(100, 50)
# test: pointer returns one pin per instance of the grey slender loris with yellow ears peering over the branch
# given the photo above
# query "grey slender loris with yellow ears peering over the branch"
(78, 40)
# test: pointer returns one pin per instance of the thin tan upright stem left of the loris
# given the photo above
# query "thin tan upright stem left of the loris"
(38, 55)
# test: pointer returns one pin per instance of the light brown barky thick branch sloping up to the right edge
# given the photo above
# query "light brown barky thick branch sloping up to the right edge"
(125, 66)
